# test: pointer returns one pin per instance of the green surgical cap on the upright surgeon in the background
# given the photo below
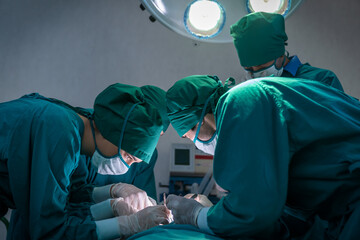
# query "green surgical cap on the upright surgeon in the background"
(259, 38)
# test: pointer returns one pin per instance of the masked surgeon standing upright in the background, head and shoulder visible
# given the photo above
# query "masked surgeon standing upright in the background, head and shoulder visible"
(260, 40)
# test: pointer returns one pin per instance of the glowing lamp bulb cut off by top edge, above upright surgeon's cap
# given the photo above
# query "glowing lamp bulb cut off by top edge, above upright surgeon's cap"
(270, 6)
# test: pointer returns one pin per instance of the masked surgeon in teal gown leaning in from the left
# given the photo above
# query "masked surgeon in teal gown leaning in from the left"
(41, 143)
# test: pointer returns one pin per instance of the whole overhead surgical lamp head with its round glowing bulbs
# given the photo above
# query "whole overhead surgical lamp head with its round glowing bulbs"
(210, 20)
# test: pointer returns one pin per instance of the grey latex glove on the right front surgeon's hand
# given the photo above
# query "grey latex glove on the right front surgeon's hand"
(185, 211)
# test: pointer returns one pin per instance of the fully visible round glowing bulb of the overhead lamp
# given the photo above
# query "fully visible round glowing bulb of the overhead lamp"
(204, 18)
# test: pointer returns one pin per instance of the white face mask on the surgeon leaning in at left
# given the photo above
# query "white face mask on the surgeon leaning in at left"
(109, 166)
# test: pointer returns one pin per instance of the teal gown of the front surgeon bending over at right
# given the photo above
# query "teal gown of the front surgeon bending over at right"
(284, 141)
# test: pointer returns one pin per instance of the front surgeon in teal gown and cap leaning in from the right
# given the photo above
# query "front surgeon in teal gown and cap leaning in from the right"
(280, 141)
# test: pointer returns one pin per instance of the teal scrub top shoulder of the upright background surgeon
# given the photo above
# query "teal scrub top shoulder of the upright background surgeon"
(295, 69)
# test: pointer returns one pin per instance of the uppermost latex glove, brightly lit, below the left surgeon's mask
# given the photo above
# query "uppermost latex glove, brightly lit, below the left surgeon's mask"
(133, 196)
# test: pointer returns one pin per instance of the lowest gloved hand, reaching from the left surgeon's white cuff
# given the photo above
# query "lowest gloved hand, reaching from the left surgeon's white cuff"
(143, 220)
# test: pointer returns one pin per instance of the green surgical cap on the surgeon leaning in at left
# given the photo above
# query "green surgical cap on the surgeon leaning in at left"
(143, 126)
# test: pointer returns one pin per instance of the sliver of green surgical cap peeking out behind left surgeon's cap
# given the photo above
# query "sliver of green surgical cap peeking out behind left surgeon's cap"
(157, 97)
